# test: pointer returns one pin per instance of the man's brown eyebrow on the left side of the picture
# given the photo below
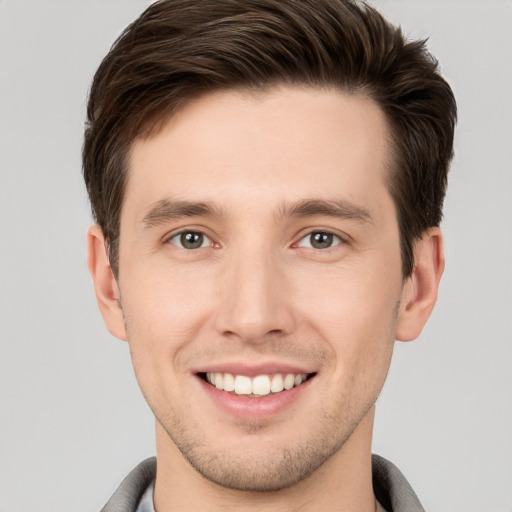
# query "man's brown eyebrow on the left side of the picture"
(167, 209)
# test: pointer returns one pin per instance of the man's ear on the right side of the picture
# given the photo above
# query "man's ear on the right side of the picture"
(419, 293)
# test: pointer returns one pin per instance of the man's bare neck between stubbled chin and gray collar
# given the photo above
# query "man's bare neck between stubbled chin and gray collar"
(343, 482)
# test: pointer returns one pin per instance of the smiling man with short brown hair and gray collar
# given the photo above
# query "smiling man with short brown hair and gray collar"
(267, 179)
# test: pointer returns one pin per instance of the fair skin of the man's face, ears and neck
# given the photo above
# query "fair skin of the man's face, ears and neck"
(257, 292)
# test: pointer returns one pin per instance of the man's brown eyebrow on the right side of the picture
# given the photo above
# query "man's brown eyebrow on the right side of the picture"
(338, 208)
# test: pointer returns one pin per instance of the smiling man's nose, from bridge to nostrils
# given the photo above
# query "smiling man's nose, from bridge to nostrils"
(256, 297)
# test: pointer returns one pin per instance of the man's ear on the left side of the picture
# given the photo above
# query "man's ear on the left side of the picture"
(105, 284)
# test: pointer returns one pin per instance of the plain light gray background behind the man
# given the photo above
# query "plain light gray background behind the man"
(73, 421)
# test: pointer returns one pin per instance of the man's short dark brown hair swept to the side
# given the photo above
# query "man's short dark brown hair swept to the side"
(180, 49)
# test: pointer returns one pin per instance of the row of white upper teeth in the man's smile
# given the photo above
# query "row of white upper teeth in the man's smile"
(258, 386)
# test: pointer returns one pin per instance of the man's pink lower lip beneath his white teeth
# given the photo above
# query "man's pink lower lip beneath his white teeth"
(255, 408)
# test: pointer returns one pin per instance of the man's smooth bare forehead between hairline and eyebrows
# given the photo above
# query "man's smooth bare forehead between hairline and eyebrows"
(235, 148)
